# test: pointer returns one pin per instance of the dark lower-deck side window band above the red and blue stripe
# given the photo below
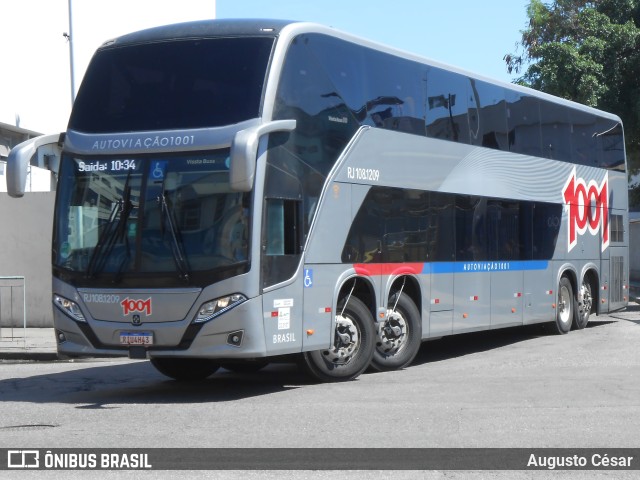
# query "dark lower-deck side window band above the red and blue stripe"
(395, 225)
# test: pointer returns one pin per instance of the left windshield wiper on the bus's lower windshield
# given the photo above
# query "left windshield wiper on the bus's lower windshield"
(113, 232)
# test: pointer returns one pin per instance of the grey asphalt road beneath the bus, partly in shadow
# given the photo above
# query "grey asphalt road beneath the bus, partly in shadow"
(508, 388)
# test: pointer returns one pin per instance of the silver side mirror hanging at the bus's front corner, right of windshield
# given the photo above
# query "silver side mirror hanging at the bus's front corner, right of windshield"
(244, 150)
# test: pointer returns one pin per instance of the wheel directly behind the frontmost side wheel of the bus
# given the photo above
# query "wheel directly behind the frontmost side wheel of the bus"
(399, 336)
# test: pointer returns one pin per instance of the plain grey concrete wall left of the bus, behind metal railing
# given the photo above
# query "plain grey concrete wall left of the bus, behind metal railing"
(25, 250)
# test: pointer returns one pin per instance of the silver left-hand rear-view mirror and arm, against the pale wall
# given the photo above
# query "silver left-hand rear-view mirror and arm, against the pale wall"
(20, 158)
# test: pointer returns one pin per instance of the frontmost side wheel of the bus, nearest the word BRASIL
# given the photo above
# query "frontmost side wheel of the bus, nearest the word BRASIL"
(352, 349)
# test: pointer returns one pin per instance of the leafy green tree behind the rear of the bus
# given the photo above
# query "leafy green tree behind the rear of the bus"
(589, 52)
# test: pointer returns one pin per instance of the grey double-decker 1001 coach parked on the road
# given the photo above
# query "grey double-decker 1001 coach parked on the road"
(234, 191)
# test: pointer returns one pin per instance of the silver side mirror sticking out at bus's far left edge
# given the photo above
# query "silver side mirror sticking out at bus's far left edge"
(47, 148)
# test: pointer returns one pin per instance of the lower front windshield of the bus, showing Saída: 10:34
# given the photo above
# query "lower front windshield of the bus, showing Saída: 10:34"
(120, 218)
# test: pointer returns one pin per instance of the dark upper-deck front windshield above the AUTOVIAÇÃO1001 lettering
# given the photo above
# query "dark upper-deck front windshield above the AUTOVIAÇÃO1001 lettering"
(170, 85)
